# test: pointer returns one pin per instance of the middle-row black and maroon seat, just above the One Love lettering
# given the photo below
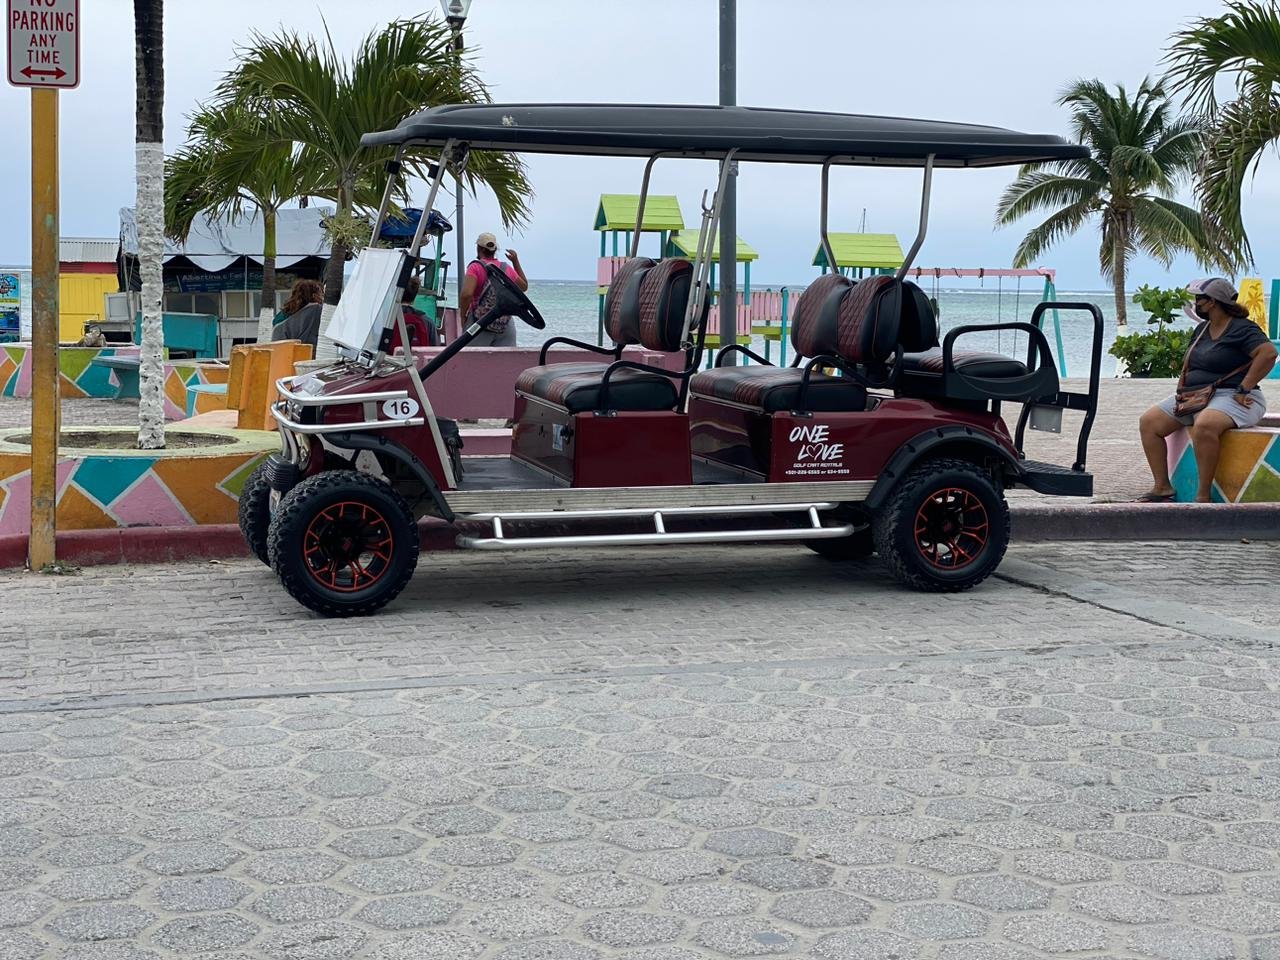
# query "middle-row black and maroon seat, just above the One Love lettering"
(849, 324)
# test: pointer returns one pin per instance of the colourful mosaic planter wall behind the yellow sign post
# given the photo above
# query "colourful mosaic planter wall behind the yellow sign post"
(135, 488)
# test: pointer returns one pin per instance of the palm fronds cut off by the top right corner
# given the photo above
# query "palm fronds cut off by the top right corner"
(1242, 44)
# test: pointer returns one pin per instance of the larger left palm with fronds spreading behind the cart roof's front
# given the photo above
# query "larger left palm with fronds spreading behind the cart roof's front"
(319, 99)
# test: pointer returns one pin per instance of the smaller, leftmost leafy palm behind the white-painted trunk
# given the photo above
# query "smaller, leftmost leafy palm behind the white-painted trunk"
(234, 161)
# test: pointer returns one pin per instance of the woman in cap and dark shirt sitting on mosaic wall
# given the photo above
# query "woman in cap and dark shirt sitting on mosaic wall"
(1218, 391)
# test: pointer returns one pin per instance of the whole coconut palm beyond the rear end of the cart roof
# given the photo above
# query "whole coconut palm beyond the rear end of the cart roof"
(1140, 154)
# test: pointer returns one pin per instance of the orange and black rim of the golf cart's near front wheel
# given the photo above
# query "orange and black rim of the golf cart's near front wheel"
(349, 547)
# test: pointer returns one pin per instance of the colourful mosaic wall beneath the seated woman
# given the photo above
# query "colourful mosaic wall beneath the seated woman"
(1249, 470)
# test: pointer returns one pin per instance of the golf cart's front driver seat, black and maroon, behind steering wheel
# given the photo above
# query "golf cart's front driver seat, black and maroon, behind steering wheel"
(646, 305)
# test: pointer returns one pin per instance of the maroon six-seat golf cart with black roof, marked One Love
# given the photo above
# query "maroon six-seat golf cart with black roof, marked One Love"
(876, 440)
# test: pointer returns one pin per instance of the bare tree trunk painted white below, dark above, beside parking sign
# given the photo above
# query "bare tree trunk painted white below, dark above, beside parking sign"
(149, 53)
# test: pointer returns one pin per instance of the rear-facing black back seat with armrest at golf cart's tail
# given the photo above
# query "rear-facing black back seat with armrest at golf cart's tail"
(975, 376)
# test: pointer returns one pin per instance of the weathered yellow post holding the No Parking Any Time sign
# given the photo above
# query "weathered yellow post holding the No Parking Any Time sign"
(45, 406)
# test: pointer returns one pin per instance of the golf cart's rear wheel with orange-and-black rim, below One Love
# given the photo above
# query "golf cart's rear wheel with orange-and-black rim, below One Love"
(945, 529)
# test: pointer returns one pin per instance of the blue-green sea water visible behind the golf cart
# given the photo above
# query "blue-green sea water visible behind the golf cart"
(572, 309)
